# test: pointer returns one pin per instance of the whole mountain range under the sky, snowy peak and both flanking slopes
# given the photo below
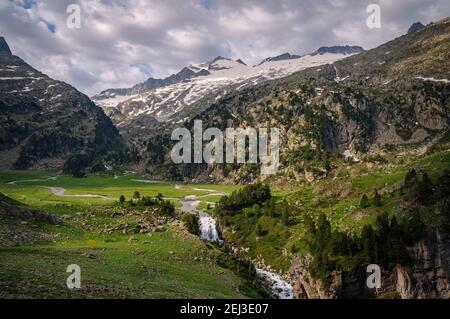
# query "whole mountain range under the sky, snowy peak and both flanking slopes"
(336, 100)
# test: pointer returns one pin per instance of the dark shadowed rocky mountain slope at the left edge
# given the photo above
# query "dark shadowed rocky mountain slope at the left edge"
(45, 122)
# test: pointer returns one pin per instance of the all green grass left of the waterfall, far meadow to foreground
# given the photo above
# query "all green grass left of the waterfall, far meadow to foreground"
(169, 264)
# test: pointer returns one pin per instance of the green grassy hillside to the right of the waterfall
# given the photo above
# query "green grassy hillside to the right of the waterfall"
(278, 244)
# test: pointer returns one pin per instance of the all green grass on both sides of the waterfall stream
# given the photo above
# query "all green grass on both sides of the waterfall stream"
(170, 264)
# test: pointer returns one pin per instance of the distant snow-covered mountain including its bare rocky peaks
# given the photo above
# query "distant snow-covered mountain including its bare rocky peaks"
(170, 100)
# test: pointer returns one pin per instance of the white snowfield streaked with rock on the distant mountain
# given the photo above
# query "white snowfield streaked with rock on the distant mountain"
(222, 75)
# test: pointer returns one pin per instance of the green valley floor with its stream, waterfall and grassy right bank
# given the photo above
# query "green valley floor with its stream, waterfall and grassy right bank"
(122, 255)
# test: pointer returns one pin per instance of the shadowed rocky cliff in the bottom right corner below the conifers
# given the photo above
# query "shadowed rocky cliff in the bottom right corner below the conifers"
(427, 278)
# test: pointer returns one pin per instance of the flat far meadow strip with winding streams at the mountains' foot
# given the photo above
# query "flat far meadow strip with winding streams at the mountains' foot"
(30, 189)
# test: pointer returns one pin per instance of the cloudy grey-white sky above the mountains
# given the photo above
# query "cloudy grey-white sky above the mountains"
(123, 42)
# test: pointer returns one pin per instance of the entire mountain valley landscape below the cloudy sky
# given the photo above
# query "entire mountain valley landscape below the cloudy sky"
(361, 160)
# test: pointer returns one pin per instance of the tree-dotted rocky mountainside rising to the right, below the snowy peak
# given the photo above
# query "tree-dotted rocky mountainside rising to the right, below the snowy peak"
(389, 98)
